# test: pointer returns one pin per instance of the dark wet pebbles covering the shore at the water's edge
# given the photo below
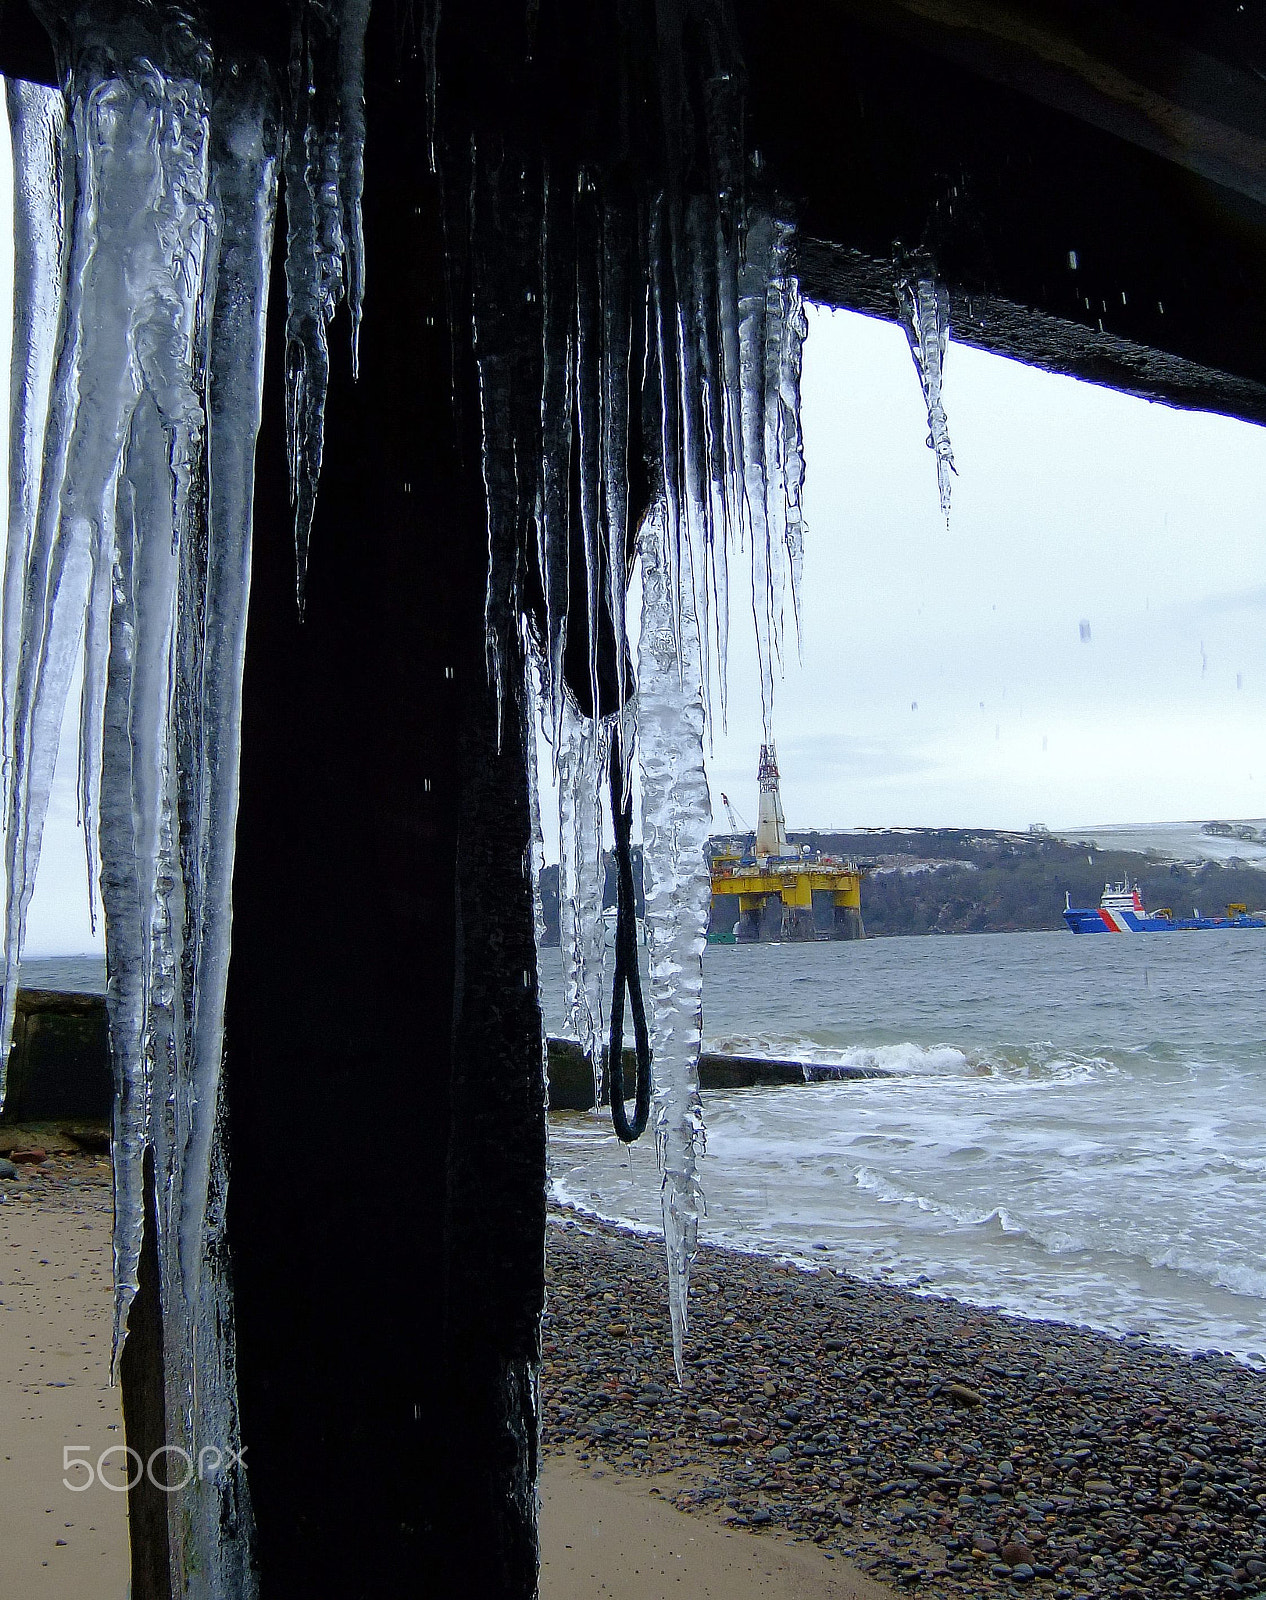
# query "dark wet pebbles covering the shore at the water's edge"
(932, 1444)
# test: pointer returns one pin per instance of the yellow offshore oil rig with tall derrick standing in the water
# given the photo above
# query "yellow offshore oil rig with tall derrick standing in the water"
(767, 890)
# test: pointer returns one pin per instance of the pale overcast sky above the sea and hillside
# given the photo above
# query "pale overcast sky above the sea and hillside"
(945, 679)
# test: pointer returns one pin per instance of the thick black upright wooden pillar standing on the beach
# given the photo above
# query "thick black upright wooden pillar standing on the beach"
(387, 1209)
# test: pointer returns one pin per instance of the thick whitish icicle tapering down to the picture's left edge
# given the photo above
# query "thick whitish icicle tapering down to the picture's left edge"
(135, 270)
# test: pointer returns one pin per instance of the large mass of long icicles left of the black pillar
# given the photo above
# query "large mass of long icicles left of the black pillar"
(143, 242)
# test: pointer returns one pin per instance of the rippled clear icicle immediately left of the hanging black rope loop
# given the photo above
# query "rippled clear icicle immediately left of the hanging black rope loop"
(582, 762)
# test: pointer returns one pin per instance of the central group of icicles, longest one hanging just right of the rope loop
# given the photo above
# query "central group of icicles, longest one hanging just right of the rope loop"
(718, 334)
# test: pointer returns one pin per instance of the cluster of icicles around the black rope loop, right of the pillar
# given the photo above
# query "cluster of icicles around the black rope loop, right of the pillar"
(731, 474)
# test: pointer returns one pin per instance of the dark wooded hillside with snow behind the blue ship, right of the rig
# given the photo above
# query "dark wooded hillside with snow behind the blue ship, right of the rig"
(982, 881)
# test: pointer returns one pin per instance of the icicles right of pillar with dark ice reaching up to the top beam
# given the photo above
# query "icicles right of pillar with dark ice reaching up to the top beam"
(639, 366)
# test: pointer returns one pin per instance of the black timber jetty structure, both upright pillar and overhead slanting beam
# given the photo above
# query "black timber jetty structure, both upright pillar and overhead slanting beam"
(1092, 186)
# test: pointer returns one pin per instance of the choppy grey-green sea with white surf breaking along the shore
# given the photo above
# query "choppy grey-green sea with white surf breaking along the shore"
(1076, 1129)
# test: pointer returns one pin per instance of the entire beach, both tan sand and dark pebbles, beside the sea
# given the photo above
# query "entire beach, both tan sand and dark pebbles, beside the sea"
(831, 1428)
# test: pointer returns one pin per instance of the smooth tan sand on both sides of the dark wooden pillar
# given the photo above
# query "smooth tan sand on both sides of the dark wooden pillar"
(604, 1535)
